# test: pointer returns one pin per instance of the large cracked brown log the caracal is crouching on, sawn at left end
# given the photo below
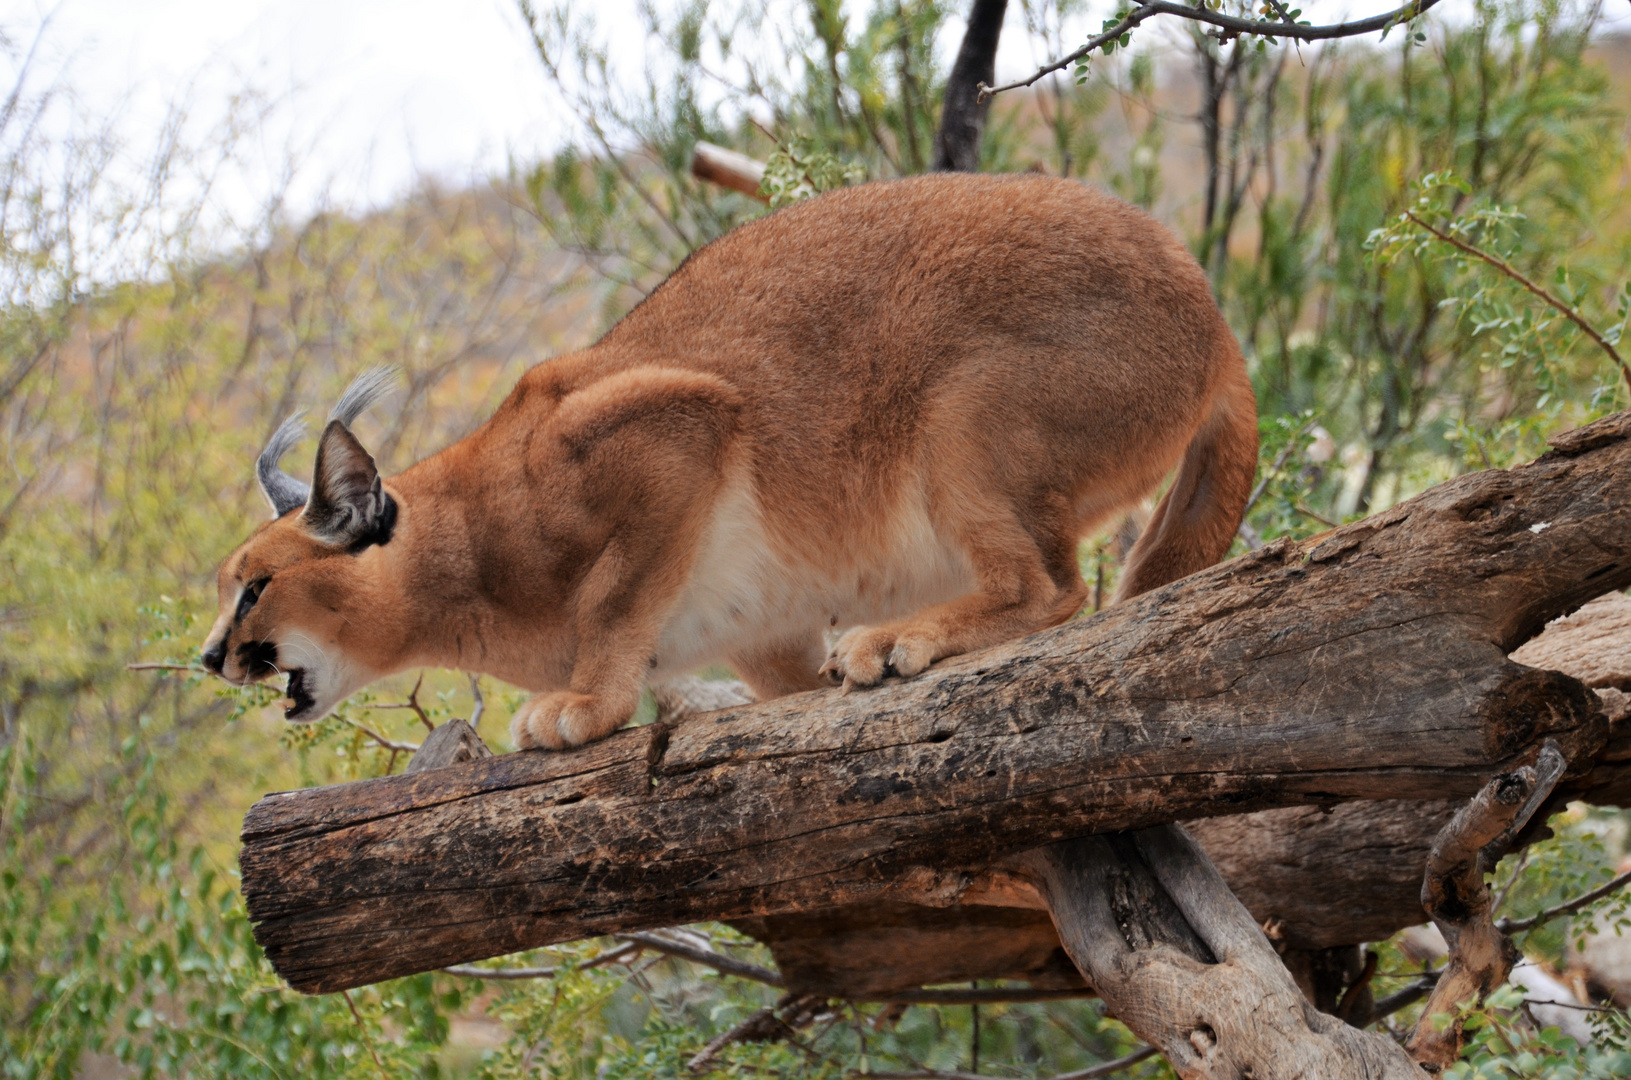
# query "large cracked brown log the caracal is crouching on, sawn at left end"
(1369, 663)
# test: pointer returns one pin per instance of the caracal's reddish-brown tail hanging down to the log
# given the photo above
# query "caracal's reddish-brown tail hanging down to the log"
(1198, 518)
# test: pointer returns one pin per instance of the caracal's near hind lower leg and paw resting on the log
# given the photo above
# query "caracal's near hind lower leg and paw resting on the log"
(1027, 582)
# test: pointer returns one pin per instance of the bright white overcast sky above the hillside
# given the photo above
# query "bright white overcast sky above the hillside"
(374, 92)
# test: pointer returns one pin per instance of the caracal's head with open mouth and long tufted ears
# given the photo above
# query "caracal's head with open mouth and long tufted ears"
(298, 598)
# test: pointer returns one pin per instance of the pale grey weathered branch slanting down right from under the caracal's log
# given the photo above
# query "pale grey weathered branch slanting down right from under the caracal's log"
(1178, 960)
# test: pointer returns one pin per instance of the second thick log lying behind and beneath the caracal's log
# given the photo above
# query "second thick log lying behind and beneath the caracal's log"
(1324, 880)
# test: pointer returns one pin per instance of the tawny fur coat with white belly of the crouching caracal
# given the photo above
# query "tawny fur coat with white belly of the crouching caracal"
(890, 412)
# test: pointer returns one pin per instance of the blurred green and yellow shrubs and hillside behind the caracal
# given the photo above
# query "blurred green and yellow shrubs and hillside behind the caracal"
(151, 343)
